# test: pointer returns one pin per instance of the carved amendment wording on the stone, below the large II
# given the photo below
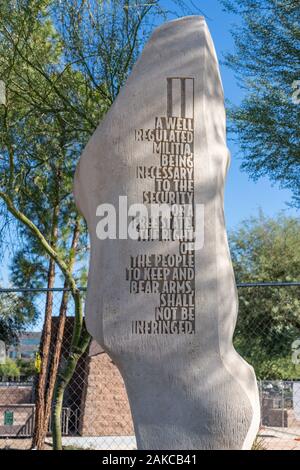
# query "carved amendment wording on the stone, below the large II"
(170, 277)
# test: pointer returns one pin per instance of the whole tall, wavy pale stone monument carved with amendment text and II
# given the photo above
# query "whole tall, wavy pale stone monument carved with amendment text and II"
(162, 298)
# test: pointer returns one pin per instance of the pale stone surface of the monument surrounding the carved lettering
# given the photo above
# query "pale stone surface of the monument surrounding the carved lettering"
(185, 391)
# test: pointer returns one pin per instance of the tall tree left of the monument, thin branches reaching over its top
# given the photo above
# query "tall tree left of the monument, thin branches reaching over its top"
(63, 64)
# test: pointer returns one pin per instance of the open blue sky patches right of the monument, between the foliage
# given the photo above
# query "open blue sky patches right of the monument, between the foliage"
(243, 197)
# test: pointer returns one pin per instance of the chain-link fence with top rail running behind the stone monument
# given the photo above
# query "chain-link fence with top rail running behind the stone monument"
(96, 413)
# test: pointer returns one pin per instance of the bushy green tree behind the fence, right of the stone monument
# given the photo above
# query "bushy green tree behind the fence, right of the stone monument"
(265, 249)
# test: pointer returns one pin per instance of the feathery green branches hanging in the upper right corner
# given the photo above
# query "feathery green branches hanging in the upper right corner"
(266, 63)
